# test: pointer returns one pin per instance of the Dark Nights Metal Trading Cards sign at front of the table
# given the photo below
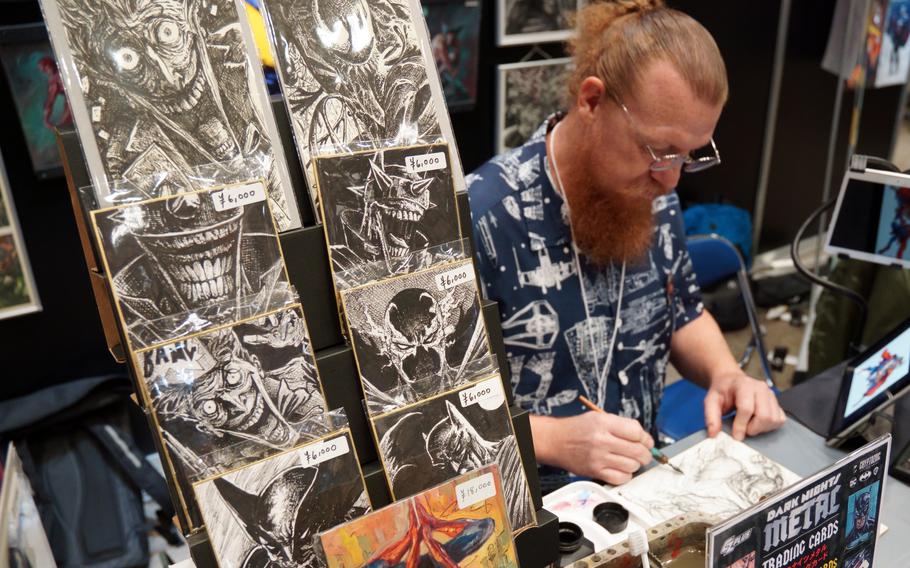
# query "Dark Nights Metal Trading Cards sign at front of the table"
(830, 519)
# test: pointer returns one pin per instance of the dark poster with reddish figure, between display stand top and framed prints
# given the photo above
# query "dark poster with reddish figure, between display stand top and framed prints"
(454, 27)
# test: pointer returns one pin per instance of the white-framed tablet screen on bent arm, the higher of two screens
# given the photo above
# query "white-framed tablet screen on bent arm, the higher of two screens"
(873, 219)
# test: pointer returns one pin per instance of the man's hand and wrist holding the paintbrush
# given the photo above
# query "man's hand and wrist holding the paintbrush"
(593, 444)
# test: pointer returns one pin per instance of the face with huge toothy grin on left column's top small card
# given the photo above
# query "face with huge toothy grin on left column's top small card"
(195, 246)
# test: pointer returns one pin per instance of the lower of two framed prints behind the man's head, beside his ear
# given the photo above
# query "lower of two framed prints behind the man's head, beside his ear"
(528, 93)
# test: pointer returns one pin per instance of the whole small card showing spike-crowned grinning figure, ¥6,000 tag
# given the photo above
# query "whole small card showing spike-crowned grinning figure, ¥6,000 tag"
(378, 210)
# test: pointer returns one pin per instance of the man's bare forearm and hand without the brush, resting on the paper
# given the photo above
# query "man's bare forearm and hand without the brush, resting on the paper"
(699, 351)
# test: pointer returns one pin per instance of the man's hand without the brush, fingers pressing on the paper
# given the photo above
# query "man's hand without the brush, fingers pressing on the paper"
(756, 406)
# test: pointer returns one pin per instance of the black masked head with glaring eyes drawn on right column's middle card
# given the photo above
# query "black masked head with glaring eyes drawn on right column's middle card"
(415, 336)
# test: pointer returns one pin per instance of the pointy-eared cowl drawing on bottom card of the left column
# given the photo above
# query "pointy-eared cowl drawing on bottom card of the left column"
(266, 514)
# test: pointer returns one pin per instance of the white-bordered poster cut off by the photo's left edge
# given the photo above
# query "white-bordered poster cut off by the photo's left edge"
(18, 294)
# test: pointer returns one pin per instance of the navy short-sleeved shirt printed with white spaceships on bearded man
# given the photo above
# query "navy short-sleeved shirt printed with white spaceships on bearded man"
(559, 340)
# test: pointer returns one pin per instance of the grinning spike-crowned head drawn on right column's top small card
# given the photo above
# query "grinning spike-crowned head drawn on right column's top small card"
(395, 204)
